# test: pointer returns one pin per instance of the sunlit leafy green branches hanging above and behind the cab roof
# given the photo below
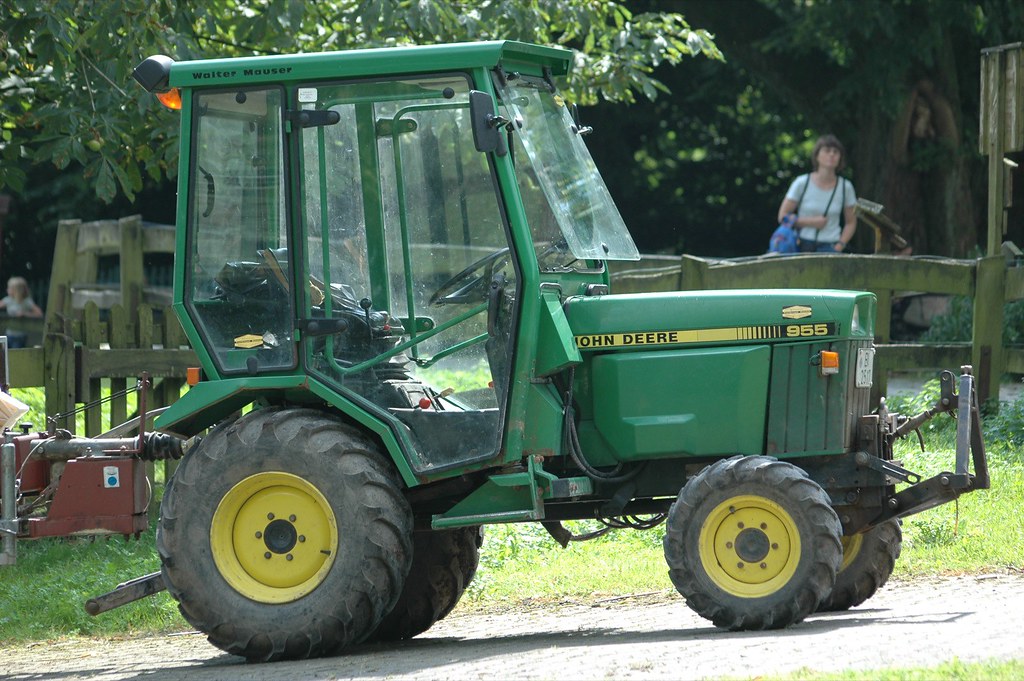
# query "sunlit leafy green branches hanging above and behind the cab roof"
(67, 97)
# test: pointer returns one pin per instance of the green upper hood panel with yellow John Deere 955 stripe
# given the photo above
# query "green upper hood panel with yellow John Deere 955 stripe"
(719, 318)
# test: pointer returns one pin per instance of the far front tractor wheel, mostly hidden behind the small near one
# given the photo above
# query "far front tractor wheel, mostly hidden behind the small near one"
(869, 560)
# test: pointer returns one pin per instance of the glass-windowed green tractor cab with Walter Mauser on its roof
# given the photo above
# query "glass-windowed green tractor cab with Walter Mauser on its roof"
(375, 234)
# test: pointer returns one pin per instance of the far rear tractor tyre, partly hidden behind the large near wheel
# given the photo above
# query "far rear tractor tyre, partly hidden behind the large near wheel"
(444, 565)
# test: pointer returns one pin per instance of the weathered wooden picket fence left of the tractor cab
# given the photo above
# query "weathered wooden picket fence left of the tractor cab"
(97, 336)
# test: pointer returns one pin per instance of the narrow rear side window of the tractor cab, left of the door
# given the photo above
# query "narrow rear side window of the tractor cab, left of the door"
(237, 284)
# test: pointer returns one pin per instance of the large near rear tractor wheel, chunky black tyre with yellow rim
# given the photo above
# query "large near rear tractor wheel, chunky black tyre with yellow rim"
(284, 536)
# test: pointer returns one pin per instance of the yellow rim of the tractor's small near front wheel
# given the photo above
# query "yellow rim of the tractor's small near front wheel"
(750, 546)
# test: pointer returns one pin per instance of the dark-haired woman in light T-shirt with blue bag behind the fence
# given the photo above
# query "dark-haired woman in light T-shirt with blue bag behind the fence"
(823, 201)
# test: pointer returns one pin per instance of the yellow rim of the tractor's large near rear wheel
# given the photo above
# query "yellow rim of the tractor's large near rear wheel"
(274, 538)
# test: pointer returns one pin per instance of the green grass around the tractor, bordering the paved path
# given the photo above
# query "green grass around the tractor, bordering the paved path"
(42, 597)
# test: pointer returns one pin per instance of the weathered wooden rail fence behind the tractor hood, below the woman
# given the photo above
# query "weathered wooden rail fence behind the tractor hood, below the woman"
(991, 282)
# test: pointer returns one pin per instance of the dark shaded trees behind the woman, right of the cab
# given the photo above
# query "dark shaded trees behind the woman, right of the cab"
(850, 69)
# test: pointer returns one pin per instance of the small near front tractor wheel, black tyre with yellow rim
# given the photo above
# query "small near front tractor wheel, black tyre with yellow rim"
(753, 543)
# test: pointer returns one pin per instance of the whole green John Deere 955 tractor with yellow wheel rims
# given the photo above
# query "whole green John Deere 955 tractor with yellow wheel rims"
(394, 267)
